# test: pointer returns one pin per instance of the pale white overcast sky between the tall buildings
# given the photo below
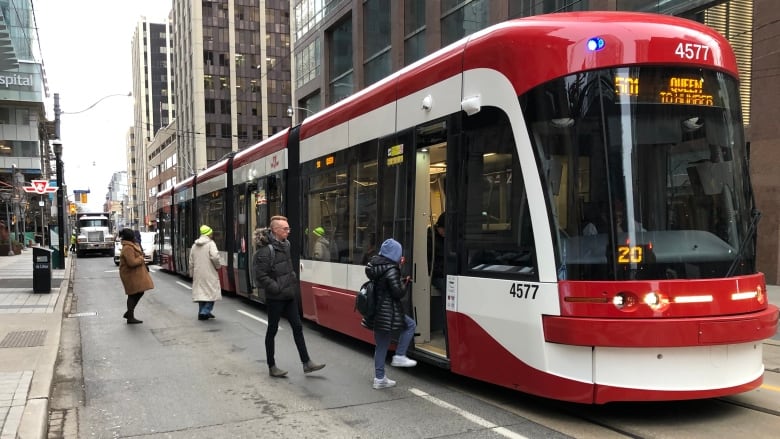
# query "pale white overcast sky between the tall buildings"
(86, 50)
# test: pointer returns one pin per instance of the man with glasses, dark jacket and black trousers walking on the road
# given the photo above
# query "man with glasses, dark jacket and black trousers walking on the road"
(274, 272)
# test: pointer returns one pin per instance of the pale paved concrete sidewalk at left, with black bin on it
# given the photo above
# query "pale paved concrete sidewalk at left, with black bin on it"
(29, 340)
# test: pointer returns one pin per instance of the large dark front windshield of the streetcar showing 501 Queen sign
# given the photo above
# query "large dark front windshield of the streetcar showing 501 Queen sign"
(645, 173)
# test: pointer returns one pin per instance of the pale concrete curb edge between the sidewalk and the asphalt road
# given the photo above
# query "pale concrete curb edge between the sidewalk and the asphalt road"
(35, 418)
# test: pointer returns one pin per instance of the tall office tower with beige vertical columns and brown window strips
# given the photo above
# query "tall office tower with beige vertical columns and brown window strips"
(232, 76)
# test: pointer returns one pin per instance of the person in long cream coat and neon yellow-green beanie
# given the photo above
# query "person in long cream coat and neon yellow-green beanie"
(203, 266)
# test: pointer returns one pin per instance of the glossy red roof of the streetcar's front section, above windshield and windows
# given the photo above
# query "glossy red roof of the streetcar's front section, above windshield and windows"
(557, 44)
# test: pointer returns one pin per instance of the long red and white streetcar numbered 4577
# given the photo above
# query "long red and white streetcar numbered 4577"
(600, 233)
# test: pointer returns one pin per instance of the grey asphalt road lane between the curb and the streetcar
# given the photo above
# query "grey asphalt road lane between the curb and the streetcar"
(175, 377)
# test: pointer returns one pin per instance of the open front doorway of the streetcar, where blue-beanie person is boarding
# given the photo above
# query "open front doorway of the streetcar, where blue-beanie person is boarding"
(430, 148)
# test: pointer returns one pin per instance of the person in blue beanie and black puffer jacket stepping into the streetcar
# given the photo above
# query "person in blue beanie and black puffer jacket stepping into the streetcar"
(385, 270)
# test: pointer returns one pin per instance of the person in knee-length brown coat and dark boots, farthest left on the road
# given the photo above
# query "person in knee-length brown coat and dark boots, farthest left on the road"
(133, 272)
